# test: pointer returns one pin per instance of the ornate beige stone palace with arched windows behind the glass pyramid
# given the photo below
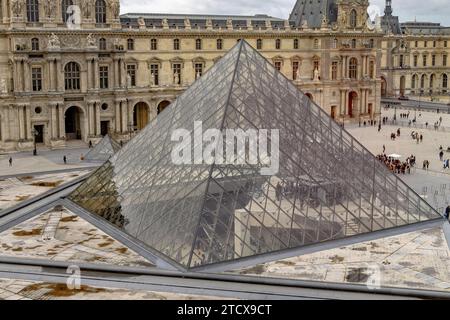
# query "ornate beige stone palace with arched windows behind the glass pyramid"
(78, 70)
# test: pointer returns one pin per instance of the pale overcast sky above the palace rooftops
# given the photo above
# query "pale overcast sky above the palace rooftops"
(408, 10)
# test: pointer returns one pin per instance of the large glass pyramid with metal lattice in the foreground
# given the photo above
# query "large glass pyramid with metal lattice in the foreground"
(328, 186)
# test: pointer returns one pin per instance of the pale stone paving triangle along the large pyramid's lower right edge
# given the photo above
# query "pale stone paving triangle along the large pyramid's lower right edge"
(418, 260)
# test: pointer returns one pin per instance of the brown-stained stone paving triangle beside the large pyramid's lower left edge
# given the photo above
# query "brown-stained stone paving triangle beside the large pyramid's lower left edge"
(62, 236)
